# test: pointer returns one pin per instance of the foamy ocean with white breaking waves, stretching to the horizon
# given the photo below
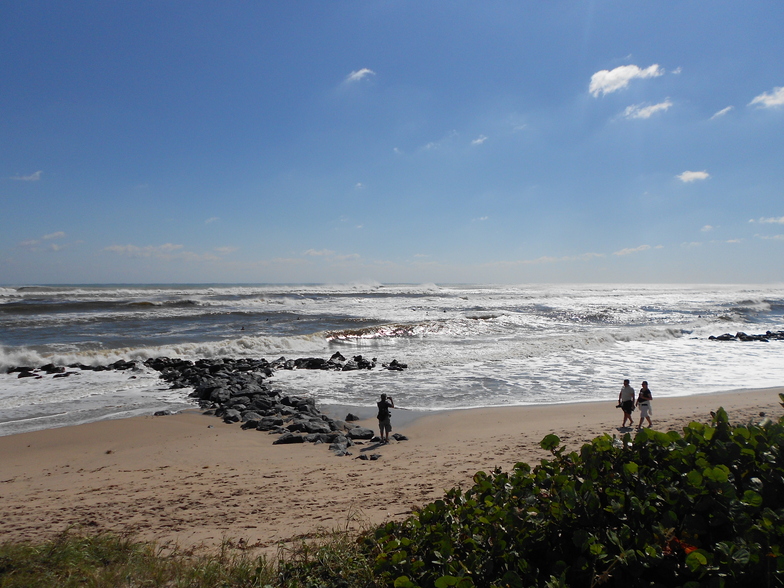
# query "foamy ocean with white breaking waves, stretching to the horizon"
(465, 345)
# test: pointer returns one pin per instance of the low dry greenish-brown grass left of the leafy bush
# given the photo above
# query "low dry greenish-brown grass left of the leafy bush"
(105, 560)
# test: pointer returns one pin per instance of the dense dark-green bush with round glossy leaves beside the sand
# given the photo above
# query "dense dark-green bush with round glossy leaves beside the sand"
(705, 508)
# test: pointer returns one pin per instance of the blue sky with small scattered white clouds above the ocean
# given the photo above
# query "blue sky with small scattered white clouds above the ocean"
(391, 142)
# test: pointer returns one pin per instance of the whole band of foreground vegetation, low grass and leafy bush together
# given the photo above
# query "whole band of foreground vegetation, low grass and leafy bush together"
(705, 508)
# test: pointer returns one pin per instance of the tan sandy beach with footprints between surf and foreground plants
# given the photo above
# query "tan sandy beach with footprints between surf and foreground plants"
(191, 480)
